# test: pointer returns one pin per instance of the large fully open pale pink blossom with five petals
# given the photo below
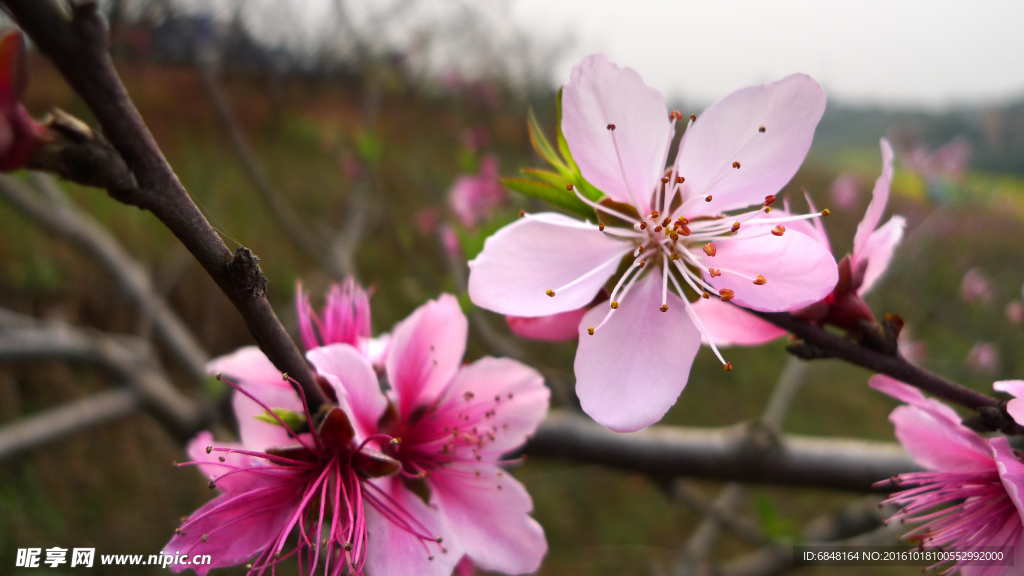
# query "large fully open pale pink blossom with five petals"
(670, 227)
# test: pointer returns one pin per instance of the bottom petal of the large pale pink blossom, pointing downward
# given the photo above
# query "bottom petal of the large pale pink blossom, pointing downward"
(632, 371)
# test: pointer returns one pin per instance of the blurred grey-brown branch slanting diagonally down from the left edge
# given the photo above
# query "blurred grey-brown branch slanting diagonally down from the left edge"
(82, 231)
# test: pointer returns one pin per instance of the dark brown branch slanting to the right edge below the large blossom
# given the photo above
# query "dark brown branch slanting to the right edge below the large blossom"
(895, 366)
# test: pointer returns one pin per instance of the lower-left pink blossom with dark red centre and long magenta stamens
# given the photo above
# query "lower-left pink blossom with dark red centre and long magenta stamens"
(290, 480)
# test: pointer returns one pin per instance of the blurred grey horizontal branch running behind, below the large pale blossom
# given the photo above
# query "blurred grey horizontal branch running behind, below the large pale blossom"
(722, 455)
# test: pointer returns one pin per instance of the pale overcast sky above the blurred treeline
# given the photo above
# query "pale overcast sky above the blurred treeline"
(932, 53)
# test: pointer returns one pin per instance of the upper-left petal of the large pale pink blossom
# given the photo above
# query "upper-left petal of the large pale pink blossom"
(601, 94)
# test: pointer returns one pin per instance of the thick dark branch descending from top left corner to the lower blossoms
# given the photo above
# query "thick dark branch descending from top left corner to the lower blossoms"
(78, 46)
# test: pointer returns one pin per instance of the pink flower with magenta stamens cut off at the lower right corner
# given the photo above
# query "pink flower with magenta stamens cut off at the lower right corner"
(972, 495)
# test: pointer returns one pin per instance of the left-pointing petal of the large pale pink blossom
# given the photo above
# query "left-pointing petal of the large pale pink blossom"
(543, 253)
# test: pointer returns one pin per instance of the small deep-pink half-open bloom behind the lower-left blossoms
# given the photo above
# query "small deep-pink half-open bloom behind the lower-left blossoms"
(345, 319)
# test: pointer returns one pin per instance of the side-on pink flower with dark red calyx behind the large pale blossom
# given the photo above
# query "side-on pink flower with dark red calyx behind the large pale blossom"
(874, 248)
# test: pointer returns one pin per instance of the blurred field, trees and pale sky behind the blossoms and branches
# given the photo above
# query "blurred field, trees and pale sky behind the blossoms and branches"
(347, 126)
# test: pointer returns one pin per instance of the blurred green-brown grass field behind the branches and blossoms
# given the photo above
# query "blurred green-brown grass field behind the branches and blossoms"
(114, 488)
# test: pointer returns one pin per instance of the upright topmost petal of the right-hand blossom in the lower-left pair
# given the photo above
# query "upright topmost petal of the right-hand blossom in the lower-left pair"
(426, 351)
